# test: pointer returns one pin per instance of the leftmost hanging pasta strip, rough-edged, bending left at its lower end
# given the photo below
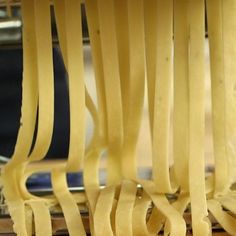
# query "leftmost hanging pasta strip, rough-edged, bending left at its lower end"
(29, 88)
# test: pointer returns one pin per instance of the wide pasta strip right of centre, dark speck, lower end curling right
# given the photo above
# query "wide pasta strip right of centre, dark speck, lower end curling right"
(162, 104)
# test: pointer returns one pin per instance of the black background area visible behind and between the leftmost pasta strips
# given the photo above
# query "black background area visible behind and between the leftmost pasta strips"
(10, 102)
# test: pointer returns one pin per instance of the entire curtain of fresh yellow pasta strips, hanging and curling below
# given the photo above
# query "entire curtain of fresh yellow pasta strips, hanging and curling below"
(133, 43)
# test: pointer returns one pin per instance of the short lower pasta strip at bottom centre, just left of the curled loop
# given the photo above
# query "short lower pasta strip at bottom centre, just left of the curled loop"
(124, 210)
